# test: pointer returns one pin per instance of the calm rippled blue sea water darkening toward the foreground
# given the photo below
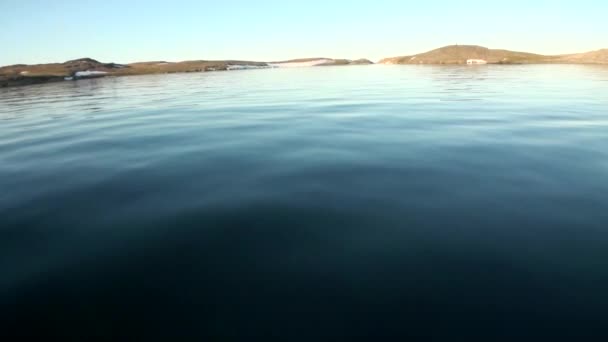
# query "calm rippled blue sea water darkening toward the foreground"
(308, 204)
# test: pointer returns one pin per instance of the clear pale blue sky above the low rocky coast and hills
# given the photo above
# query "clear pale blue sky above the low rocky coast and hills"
(42, 31)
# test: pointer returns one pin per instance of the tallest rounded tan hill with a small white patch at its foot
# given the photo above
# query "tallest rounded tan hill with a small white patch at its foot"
(459, 54)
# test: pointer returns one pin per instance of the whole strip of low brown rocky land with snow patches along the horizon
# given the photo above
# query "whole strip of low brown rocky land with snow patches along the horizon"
(22, 75)
